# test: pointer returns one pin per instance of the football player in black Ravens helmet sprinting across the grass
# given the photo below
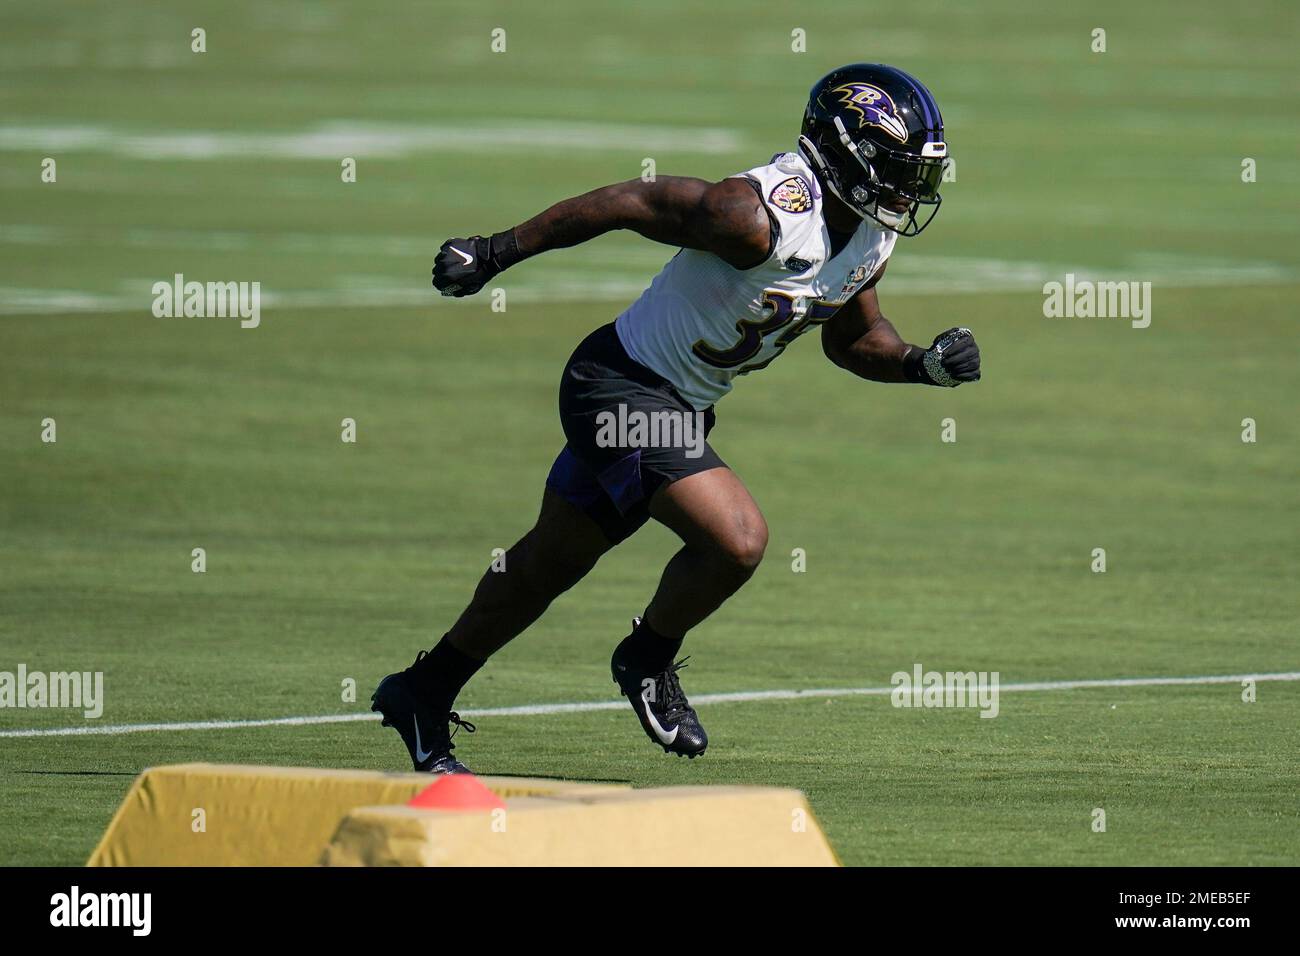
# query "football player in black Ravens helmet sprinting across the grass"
(765, 257)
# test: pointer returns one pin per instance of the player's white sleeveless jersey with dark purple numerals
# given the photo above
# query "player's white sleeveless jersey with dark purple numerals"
(701, 323)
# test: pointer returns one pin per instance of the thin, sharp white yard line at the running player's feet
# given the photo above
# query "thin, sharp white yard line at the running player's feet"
(579, 708)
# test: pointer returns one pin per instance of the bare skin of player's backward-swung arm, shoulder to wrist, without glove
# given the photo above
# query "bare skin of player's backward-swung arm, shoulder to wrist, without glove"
(723, 218)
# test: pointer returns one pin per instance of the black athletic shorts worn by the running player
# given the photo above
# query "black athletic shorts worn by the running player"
(629, 435)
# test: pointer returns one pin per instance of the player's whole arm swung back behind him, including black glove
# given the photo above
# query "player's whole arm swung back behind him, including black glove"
(727, 219)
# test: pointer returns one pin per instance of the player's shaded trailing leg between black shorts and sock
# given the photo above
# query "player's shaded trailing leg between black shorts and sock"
(548, 561)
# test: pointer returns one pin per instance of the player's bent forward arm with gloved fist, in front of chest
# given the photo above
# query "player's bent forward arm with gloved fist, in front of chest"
(861, 340)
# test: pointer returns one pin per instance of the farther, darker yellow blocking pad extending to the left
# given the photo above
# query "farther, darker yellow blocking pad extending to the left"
(265, 816)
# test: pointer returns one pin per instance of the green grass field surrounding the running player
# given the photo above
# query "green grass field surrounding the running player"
(331, 561)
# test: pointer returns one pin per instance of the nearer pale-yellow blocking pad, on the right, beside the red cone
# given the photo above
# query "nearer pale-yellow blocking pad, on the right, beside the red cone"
(669, 827)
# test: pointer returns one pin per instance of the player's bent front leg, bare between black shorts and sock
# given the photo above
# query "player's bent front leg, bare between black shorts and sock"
(725, 537)
